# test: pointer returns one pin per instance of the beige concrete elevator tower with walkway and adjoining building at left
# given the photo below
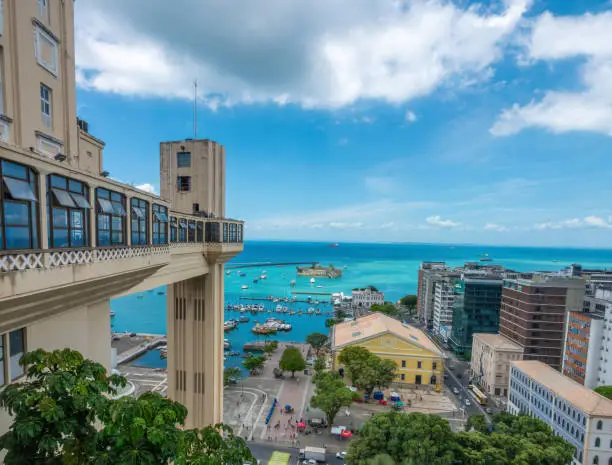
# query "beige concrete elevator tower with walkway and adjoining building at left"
(71, 239)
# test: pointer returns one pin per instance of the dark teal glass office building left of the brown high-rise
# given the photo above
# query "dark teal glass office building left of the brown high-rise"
(476, 310)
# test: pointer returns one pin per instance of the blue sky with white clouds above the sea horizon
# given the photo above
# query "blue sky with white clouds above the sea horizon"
(368, 120)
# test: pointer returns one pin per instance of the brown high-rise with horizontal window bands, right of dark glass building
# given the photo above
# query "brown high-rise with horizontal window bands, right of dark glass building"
(534, 313)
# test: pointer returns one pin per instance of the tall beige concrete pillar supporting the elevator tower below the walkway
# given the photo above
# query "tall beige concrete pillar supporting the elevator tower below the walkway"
(195, 346)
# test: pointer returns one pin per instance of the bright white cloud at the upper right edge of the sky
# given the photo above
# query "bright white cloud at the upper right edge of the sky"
(589, 109)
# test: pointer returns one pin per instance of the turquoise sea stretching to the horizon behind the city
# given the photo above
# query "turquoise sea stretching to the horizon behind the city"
(392, 268)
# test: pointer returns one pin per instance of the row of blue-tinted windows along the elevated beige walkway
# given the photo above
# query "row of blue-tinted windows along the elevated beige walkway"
(68, 213)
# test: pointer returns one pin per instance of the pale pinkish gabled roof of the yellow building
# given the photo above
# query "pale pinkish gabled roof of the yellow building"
(379, 323)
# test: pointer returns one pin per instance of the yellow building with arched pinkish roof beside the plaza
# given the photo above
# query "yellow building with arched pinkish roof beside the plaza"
(418, 359)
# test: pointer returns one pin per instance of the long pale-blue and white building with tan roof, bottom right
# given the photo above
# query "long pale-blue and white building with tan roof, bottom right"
(577, 414)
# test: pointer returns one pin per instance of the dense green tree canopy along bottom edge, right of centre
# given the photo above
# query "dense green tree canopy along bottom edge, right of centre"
(419, 439)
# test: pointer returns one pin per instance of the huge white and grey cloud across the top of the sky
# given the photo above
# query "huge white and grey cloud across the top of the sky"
(316, 54)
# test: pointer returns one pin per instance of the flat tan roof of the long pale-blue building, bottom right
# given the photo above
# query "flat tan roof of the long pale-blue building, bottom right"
(576, 394)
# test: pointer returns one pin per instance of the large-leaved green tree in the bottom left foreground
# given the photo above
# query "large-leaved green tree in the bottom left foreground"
(63, 413)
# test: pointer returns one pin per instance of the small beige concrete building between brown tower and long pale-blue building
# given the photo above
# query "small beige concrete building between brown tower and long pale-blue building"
(490, 364)
